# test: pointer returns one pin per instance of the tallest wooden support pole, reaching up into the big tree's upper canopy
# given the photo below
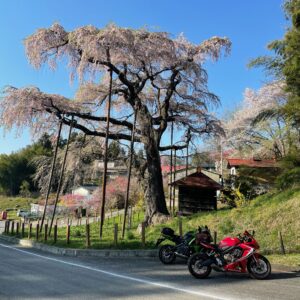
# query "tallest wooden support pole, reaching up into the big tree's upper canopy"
(102, 212)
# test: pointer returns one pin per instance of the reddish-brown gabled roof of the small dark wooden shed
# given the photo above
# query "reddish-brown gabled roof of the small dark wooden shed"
(198, 180)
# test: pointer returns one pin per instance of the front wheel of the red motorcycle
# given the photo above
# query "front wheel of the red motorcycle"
(259, 267)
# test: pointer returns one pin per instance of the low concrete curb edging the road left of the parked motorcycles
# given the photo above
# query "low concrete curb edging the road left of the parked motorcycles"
(79, 252)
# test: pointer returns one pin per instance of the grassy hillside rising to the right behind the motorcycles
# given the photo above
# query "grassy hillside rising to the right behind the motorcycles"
(267, 215)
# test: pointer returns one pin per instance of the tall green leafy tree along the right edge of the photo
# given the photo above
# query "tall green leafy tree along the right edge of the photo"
(285, 65)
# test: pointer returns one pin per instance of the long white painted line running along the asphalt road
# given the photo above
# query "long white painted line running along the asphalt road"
(162, 285)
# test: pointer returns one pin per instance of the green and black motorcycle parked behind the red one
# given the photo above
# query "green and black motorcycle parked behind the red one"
(182, 247)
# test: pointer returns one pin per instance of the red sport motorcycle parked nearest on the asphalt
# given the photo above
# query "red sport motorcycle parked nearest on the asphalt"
(238, 254)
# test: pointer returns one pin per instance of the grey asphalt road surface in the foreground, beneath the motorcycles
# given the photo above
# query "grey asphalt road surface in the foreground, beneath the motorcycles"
(31, 274)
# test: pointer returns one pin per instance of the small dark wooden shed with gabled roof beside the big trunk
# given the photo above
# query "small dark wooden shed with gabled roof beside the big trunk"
(196, 192)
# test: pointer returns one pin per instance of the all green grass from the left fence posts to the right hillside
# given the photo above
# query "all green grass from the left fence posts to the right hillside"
(267, 215)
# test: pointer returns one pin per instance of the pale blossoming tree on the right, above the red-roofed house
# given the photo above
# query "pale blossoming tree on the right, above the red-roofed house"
(258, 124)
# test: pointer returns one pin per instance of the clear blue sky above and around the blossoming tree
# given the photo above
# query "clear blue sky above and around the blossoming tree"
(250, 25)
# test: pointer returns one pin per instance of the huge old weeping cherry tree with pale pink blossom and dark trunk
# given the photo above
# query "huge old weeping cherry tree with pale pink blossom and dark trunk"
(160, 78)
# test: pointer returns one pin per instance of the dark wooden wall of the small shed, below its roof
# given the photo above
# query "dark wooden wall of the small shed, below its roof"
(192, 200)
